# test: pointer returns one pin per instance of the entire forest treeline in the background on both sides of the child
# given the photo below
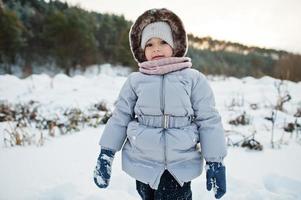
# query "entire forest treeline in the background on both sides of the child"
(34, 32)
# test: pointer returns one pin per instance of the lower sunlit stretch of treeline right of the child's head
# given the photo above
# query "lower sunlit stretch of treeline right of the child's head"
(233, 59)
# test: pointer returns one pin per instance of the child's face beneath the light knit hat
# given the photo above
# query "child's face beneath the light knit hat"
(156, 48)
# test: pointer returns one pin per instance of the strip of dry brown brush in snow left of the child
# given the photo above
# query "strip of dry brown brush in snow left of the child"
(27, 123)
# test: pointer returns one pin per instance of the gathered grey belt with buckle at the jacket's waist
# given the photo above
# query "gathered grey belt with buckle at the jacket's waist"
(164, 121)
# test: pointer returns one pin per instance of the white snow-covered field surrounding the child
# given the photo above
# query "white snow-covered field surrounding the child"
(62, 168)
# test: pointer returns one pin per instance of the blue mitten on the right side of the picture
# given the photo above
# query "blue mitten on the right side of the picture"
(216, 178)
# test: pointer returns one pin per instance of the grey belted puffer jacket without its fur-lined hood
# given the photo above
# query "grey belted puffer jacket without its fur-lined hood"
(165, 122)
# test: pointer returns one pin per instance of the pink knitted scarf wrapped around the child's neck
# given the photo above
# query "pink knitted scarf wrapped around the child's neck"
(164, 65)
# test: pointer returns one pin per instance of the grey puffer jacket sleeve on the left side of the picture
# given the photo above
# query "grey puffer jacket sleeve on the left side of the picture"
(114, 133)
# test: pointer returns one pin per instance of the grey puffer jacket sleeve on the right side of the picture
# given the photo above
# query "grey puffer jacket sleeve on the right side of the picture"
(208, 120)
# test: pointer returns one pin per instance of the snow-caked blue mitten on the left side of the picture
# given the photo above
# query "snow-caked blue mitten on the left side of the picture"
(102, 172)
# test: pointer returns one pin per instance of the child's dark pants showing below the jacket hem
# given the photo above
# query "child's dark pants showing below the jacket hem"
(169, 189)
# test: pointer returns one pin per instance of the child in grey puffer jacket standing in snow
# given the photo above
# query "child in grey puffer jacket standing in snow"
(162, 113)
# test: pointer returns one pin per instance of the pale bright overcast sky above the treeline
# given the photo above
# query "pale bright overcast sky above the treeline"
(263, 23)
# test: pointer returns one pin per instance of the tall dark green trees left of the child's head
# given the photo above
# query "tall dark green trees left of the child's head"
(36, 32)
